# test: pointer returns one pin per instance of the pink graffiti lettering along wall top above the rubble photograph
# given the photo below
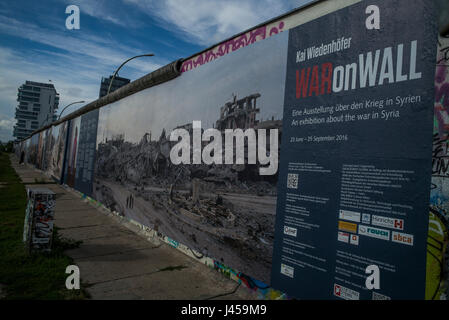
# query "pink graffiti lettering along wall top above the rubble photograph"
(232, 45)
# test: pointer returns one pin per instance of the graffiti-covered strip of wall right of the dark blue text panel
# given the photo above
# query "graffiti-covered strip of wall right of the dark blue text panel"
(437, 249)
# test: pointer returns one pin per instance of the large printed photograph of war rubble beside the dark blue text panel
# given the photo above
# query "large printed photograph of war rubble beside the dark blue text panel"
(226, 212)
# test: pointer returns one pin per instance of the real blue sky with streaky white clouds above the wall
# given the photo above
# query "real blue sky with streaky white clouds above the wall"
(35, 44)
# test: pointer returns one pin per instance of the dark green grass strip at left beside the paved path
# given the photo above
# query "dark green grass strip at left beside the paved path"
(35, 276)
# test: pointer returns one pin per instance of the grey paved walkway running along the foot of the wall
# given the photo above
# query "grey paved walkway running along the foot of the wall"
(118, 263)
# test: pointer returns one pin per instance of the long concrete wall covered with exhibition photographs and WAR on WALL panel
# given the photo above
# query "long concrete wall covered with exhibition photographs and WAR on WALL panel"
(362, 117)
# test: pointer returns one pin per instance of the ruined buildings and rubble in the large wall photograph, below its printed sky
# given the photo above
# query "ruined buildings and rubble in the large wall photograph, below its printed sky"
(223, 211)
